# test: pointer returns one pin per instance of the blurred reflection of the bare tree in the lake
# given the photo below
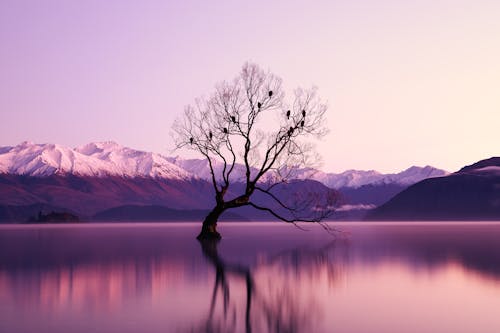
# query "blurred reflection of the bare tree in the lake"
(268, 297)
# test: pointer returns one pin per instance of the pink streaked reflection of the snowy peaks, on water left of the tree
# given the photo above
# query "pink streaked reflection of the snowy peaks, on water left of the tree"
(90, 288)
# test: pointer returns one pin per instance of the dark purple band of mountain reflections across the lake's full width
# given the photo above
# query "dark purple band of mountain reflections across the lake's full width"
(39, 247)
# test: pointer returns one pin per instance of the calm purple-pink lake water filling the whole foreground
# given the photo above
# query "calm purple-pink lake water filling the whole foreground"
(262, 277)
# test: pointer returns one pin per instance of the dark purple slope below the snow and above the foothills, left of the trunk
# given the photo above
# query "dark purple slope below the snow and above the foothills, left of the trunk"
(85, 195)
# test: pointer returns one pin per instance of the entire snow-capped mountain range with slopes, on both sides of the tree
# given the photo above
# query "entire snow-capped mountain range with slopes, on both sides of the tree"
(103, 175)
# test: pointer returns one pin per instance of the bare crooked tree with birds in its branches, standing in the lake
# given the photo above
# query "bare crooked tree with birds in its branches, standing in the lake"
(247, 123)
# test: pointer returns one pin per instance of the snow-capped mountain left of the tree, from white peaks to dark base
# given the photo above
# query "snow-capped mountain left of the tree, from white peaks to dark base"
(105, 180)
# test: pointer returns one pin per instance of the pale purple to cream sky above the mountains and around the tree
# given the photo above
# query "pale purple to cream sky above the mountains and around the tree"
(407, 82)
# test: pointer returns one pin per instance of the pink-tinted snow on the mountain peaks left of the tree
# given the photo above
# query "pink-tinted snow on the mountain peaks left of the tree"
(94, 159)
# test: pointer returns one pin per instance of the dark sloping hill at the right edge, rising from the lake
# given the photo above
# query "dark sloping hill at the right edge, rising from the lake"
(472, 193)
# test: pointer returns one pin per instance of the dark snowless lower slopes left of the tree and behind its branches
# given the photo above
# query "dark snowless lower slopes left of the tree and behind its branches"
(116, 198)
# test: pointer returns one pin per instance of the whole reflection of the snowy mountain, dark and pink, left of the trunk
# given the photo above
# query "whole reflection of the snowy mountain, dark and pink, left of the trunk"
(90, 270)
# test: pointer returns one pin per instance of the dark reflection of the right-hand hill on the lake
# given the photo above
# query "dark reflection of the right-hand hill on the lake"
(475, 247)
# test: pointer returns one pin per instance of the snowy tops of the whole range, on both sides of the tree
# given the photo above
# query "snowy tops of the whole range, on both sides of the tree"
(100, 159)
